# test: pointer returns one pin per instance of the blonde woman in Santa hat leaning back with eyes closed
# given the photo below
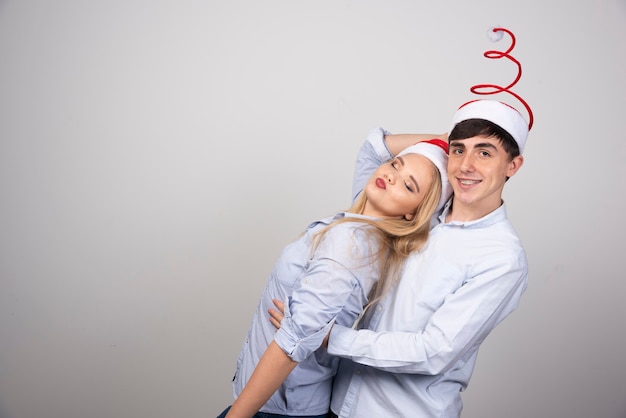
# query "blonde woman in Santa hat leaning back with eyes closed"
(335, 269)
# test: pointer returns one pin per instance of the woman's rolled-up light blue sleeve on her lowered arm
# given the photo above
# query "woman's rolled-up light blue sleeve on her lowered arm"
(334, 289)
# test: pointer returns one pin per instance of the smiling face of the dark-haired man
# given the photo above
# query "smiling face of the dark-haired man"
(477, 169)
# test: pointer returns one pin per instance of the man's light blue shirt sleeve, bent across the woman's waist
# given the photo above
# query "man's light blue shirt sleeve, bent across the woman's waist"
(461, 323)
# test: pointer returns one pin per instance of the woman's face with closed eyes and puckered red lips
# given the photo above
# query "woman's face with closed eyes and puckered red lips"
(396, 188)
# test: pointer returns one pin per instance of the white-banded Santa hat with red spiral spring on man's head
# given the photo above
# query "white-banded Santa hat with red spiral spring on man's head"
(500, 113)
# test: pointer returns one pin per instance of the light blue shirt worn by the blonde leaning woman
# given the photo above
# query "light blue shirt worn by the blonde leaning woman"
(327, 287)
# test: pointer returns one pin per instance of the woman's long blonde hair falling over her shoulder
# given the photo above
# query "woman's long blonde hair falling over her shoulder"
(396, 238)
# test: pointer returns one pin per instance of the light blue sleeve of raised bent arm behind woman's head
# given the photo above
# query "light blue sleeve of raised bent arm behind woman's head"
(373, 153)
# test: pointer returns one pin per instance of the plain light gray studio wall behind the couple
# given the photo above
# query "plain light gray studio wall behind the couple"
(155, 157)
